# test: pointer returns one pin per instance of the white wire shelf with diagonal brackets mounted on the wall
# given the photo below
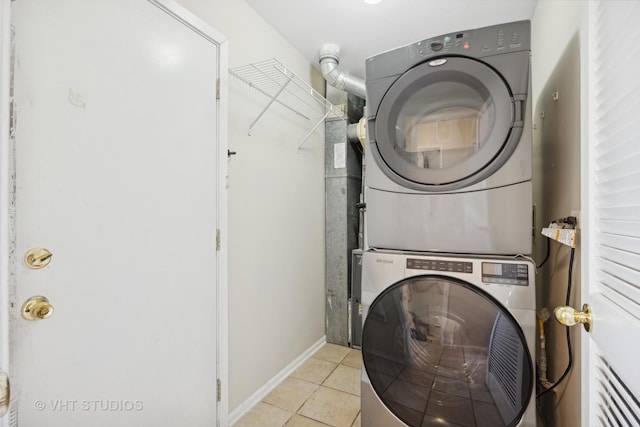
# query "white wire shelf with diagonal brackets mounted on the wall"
(283, 86)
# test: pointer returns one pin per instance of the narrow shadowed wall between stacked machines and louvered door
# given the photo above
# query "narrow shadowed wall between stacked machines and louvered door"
(556, 68)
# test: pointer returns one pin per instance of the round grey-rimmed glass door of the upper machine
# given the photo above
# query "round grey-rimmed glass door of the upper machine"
(446, 124)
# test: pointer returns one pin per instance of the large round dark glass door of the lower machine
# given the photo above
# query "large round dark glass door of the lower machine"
(439, 349)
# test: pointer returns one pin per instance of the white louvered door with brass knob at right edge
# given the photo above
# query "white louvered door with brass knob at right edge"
(611, 212)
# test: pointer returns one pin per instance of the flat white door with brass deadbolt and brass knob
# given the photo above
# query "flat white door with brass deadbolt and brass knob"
(117, 174)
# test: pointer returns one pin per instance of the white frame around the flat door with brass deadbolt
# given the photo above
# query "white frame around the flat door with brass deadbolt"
(199, 26)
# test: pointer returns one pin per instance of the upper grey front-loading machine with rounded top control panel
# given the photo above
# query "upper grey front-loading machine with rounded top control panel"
(449, 144)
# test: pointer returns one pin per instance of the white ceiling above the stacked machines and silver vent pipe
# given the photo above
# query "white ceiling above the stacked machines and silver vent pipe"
(362, 30)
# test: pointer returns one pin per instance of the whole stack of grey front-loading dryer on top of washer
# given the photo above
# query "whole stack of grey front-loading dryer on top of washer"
(449, 306)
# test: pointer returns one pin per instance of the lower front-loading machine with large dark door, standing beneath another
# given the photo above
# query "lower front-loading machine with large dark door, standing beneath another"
(447, 341)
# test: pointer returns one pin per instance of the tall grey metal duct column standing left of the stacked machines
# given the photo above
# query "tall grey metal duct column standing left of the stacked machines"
(343, 186)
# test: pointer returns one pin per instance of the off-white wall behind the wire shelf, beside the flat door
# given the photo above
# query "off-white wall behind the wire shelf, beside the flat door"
(276, 210)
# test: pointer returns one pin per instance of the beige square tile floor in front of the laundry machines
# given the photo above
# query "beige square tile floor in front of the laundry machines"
(324, 391)
